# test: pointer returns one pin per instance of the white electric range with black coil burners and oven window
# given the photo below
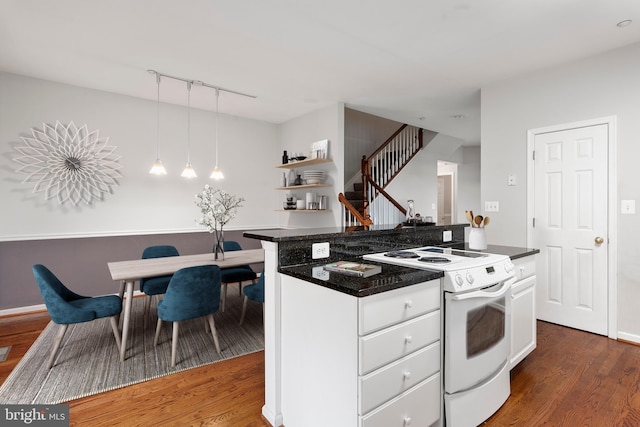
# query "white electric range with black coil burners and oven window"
(477, 327)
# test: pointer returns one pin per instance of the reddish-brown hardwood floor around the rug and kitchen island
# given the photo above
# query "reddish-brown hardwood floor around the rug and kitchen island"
(573, 378)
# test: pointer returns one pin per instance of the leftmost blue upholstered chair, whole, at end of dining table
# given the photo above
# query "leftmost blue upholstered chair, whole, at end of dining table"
(66, 307)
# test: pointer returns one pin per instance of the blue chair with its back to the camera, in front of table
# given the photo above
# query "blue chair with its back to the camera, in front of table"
(193, 292)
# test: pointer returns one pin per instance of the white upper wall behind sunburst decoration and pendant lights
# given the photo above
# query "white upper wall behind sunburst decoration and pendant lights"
(141, 203)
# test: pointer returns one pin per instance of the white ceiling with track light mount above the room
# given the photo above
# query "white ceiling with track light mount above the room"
(420, 62)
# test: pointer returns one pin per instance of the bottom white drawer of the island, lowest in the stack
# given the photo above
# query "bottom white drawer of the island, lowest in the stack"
(419, 406)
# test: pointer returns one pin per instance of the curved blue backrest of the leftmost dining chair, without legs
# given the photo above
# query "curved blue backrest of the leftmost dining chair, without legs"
(57, 296)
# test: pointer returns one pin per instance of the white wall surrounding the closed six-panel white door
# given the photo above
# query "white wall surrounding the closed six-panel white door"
(601, 86)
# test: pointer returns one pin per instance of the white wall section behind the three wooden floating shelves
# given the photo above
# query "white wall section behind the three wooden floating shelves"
(297, 135)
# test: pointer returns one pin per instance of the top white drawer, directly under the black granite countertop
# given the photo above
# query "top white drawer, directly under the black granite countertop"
(388, 308)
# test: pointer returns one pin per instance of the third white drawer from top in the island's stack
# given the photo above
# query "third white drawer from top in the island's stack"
(387, 382)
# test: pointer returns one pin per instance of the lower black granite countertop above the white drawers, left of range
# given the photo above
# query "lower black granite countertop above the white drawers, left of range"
(391, 277)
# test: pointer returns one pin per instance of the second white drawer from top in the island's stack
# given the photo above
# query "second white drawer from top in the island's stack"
(379, 348)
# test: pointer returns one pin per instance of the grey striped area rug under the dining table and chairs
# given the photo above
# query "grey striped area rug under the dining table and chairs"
(88, 360)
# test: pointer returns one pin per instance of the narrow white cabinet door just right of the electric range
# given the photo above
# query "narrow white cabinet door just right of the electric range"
(523, 316)
